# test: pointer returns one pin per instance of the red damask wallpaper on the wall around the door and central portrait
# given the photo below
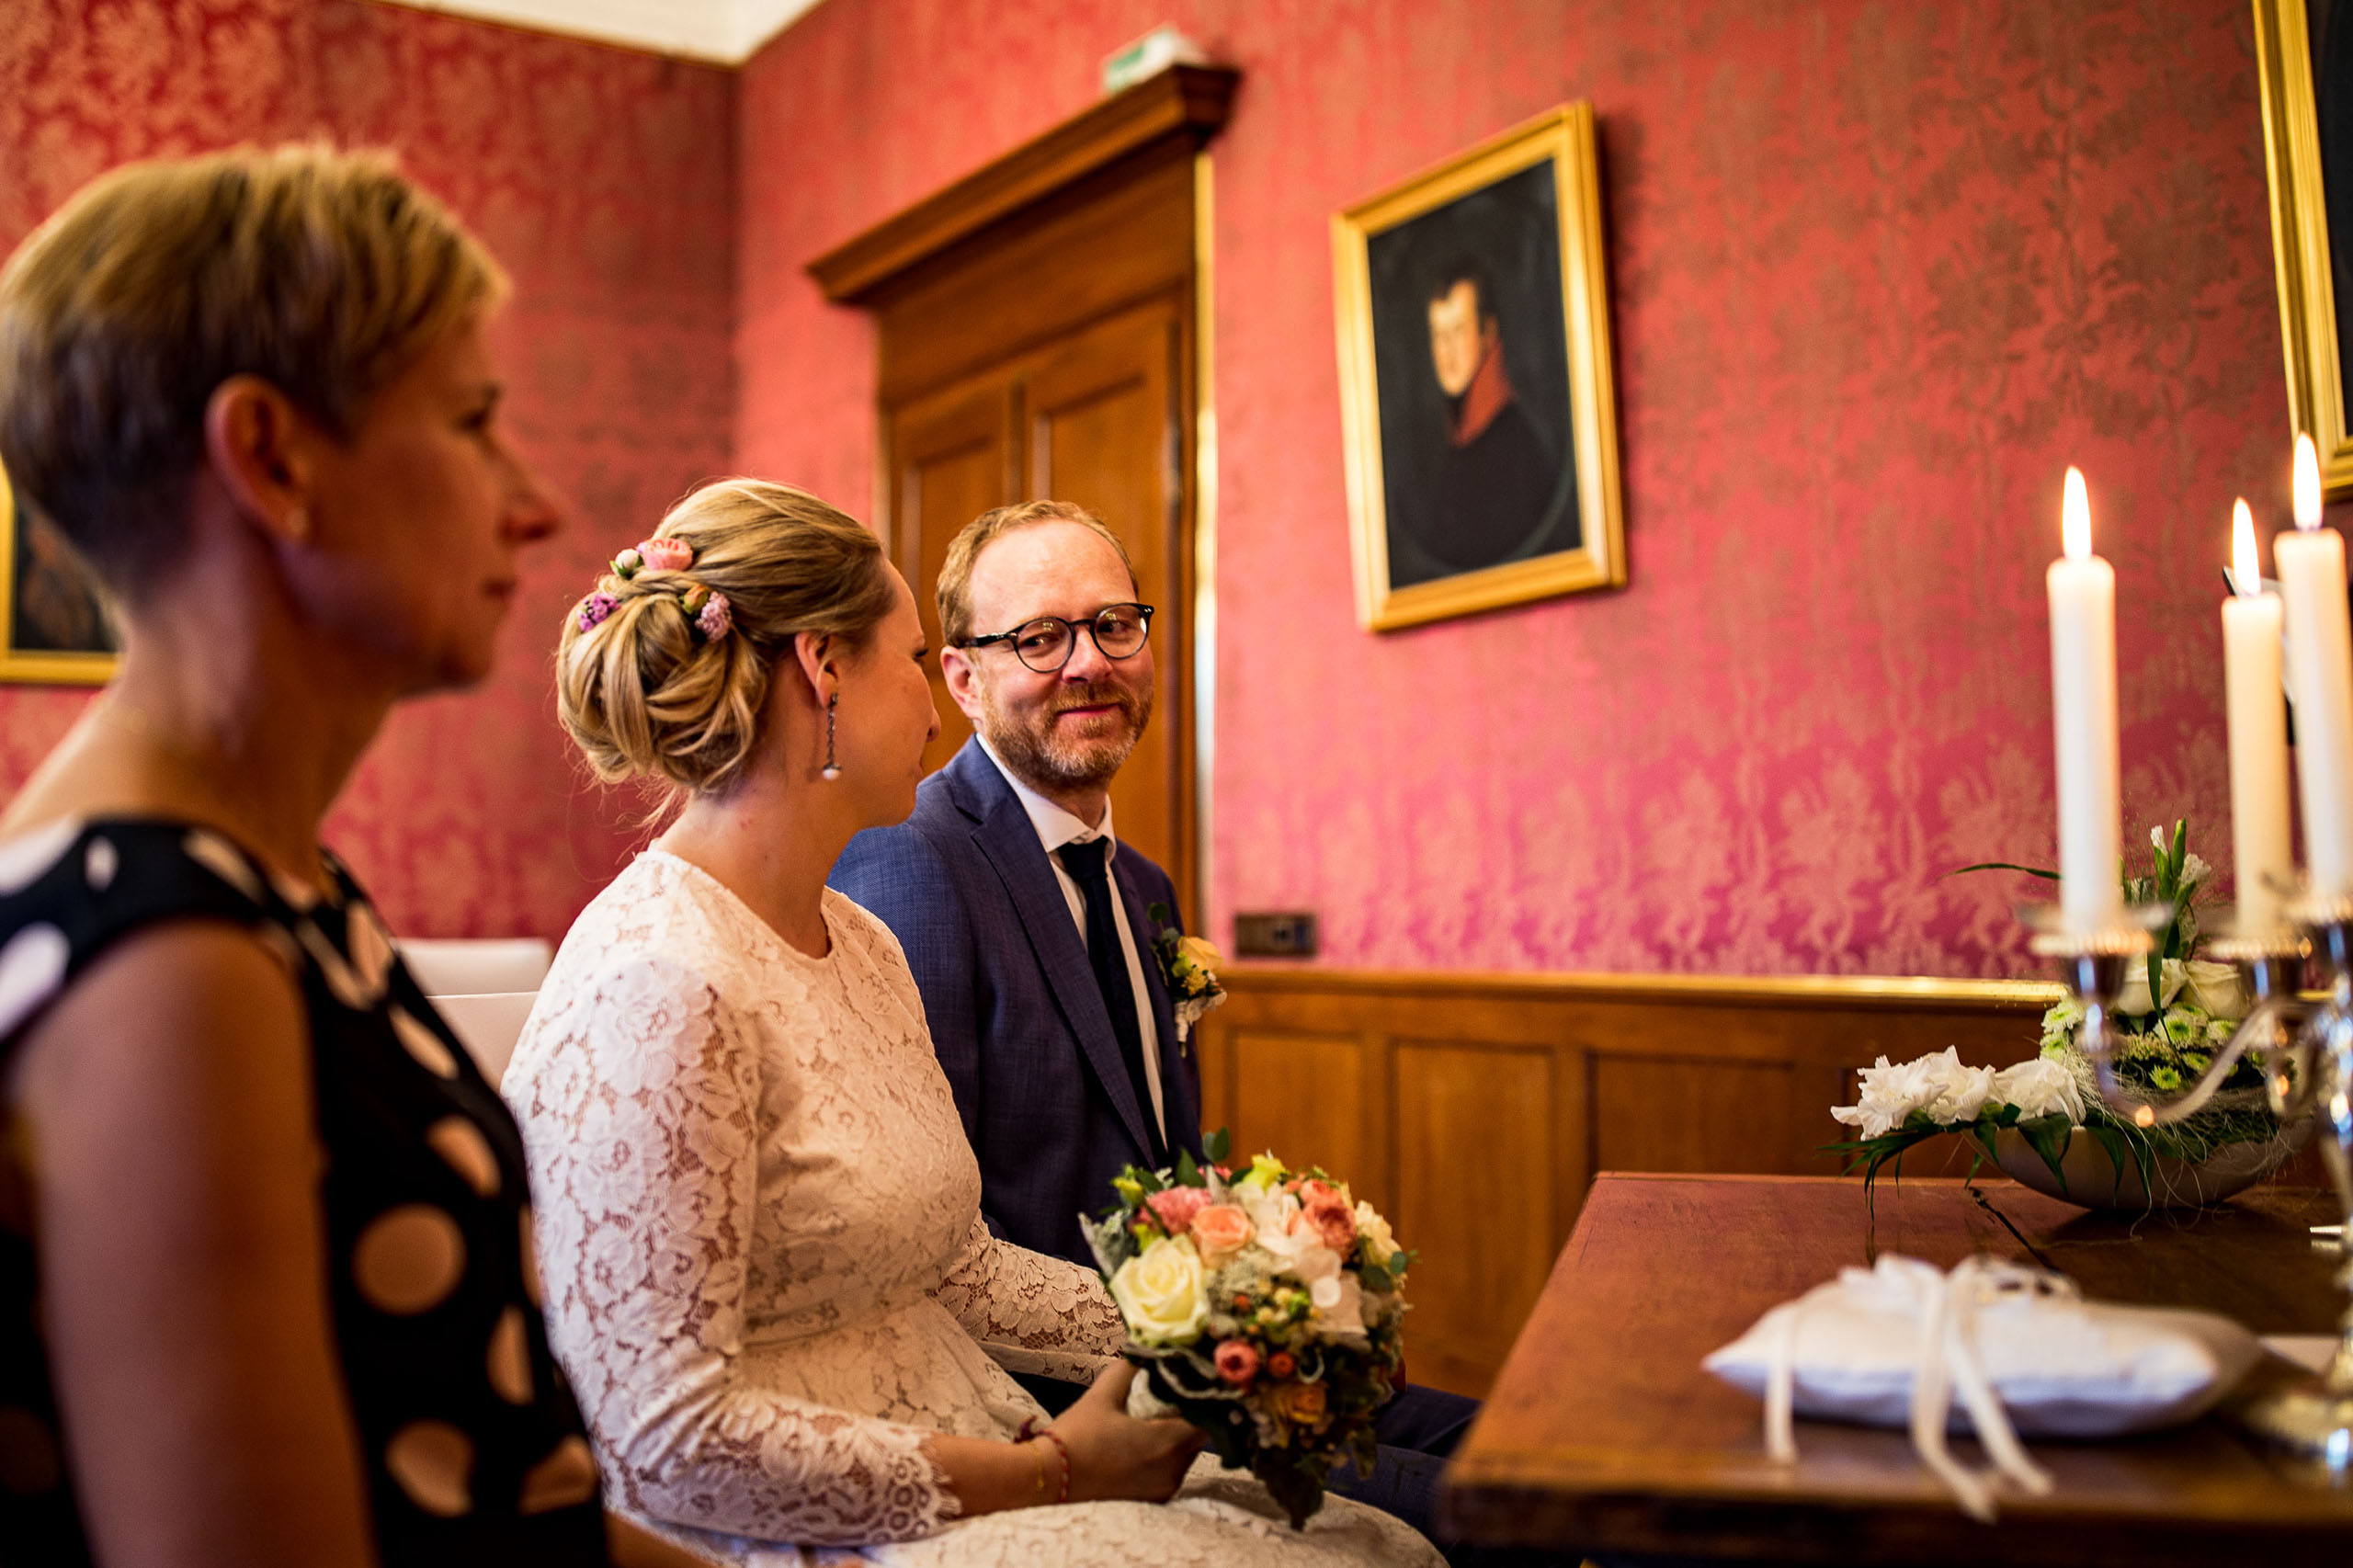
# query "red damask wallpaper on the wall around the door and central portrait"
(1881, 272)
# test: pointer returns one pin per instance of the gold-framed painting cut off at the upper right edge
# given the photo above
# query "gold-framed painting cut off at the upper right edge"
(2305, 60)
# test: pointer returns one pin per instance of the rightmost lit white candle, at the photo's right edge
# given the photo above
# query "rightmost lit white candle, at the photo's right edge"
(2312, 566)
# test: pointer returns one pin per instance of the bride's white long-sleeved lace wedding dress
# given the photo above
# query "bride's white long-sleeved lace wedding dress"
(766, 1268)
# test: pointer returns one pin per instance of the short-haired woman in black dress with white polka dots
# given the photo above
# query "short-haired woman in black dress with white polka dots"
(265, 1284)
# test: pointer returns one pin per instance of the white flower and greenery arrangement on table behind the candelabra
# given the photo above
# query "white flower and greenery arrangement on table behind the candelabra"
(2173, 1016)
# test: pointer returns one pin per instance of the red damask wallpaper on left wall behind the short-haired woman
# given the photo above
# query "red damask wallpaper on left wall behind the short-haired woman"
(606, 185)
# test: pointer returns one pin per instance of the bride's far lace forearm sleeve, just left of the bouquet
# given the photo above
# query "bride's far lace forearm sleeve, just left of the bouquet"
(1032, 1313)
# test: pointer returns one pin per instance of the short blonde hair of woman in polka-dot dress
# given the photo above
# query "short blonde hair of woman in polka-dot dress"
(319, 272)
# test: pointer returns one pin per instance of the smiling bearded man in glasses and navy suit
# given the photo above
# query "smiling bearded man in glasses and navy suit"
(1029, 926)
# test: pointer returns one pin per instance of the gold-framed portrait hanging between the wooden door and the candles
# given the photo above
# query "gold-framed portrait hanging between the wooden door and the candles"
(1437, 514)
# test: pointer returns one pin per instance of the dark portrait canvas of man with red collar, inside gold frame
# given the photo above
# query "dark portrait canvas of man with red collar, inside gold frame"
(1474, 383)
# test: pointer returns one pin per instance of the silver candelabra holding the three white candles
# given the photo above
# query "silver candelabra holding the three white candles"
(2305, 1054)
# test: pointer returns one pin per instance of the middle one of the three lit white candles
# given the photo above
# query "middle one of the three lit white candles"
(2251, 653)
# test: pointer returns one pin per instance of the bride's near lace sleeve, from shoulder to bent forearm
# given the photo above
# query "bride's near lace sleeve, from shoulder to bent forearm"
(644, 1138)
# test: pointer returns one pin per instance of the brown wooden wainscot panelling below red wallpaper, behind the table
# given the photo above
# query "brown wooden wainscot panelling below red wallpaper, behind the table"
(1502, 1096)
